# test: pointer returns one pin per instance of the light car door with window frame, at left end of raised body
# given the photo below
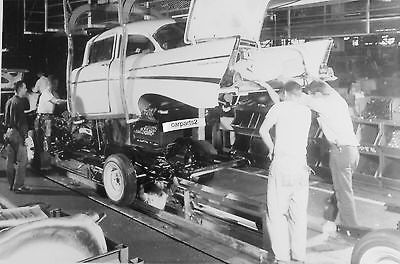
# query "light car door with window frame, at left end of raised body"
(92, 89)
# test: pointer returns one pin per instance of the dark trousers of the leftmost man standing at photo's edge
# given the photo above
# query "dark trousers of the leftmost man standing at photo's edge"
(16, 159)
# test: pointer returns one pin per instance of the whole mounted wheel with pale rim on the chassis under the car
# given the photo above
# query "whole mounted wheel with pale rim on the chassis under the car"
(119, 179)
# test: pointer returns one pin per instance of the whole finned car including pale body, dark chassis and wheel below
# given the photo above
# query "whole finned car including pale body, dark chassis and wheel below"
(148, 92)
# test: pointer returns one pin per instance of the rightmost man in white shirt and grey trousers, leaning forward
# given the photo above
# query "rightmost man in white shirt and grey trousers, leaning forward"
(335, 121)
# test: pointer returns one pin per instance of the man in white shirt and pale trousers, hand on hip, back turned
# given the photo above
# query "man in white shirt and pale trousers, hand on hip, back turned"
(287, 193)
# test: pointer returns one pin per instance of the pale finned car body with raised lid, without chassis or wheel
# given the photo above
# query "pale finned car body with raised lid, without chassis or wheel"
(164, 62)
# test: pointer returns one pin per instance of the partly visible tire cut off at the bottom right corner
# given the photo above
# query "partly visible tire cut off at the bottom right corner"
(382, 246)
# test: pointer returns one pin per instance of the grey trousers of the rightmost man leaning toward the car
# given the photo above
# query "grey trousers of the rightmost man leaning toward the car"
(342, 162)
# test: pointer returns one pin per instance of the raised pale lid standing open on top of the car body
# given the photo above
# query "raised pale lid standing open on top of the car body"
(210, 19)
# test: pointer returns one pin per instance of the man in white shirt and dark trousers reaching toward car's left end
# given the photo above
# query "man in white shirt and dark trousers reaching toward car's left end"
(45, 110)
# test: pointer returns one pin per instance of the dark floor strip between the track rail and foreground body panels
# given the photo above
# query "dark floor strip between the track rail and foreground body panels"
(143, 242)
